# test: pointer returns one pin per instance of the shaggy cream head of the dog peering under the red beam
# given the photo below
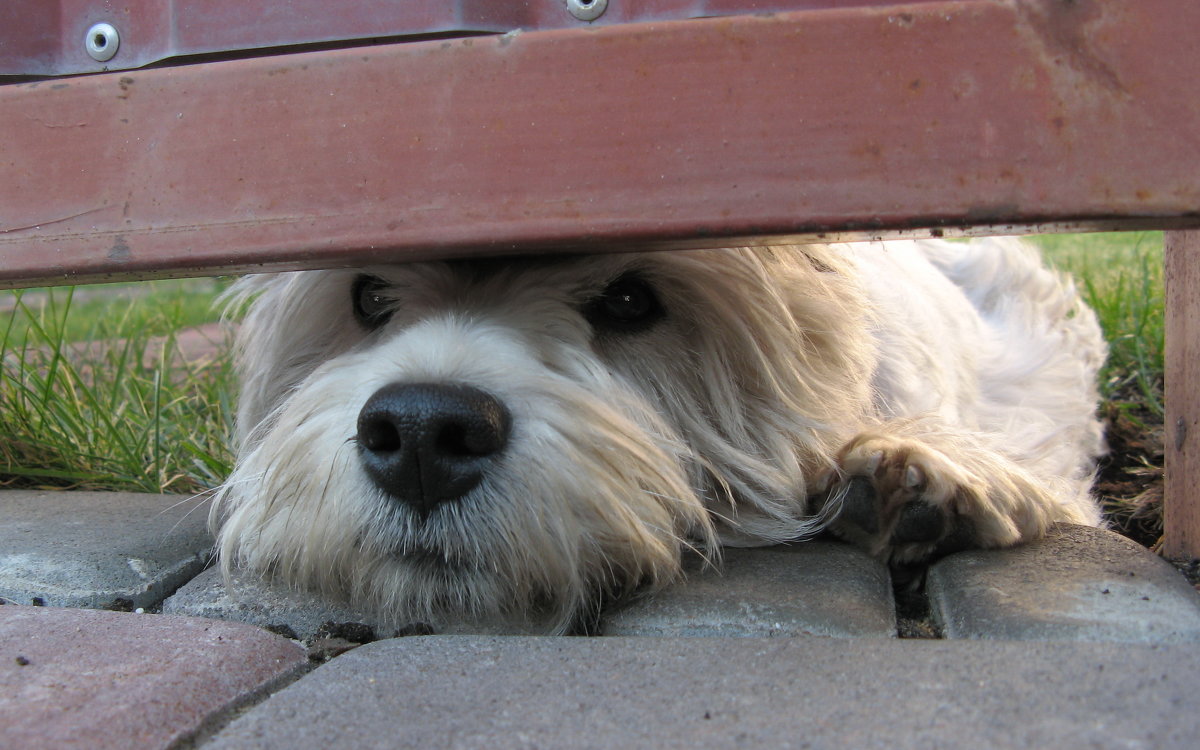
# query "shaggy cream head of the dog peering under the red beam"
(477, 437)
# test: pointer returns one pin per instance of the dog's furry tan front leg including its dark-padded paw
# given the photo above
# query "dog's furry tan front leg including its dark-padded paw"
(911, 490)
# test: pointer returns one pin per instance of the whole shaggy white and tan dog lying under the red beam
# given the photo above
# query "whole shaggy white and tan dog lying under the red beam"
(533, 436)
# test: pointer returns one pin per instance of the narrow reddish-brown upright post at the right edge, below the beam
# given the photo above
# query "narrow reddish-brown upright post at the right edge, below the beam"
(1181, 506)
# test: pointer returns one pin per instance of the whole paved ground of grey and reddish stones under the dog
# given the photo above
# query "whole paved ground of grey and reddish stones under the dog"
(1081, 640)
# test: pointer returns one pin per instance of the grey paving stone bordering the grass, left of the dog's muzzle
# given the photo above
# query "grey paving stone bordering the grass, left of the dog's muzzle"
(99, 549)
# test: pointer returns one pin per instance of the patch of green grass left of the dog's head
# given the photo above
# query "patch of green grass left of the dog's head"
(129, 416)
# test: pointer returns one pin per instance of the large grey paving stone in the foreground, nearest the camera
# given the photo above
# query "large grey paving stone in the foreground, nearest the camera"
(447, 692)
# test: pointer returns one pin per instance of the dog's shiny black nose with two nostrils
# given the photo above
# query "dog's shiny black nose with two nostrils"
(428, 443)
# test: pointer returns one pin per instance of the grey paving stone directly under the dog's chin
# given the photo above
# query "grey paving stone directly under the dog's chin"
(297, 614)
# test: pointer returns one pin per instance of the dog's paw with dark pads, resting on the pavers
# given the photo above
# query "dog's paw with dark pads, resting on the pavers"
(902, 501)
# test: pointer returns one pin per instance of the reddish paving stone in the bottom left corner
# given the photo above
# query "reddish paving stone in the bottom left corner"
(85, 679)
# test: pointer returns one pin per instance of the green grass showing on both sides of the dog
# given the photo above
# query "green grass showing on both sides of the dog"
(115, 419)
